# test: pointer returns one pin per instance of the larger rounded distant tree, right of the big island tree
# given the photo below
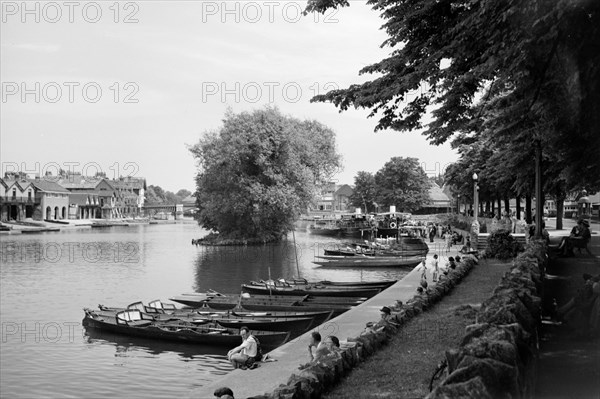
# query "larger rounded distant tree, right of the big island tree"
(403, 183)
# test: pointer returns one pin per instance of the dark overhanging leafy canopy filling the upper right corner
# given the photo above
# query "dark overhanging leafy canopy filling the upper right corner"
(522, 73)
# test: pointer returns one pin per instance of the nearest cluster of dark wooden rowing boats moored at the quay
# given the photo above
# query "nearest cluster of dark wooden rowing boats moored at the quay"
(274, 310)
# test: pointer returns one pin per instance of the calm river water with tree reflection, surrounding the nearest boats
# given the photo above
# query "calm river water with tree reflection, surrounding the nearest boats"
(47, 279)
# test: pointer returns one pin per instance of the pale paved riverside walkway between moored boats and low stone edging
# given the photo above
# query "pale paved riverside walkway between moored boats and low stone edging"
(266, 378)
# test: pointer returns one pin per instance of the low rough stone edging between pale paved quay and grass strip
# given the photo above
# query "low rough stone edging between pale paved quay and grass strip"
(313, 381)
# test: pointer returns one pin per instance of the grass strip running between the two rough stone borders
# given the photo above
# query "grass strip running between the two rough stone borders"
(404, 367)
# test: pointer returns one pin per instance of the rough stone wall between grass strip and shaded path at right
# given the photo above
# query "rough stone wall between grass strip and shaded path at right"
(497, 356)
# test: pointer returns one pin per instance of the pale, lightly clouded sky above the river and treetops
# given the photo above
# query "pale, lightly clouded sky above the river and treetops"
(125, 87)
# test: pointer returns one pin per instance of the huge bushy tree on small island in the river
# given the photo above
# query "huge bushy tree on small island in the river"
(259, 172)
